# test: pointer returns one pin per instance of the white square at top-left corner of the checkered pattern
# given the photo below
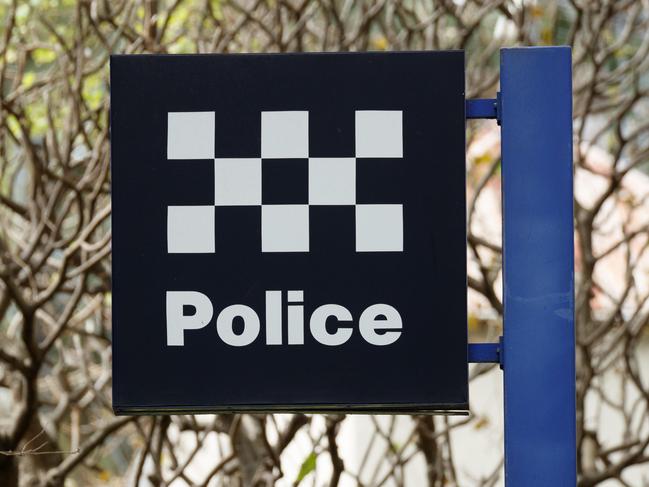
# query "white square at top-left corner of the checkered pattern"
(190, 135)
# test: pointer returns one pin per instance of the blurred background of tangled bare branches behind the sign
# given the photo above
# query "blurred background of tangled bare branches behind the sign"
(56, 423)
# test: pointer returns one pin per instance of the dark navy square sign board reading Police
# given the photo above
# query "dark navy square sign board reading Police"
(289, 232)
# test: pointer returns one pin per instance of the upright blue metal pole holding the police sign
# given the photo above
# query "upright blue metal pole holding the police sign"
(538, 346)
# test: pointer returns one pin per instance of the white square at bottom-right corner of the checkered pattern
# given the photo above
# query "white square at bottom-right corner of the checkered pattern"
(379, 228)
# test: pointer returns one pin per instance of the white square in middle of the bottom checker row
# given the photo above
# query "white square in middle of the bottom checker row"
(285, 228)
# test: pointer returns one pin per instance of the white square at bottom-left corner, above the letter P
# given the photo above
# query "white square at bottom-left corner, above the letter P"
(190, 229)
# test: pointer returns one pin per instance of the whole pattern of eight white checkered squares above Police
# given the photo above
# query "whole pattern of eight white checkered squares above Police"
(285, 135)
